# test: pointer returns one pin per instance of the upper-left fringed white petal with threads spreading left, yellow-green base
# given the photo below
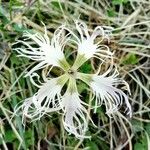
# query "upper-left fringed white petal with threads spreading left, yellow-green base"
(44, 51)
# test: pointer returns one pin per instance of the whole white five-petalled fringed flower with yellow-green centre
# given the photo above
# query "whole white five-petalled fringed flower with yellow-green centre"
(60, 94)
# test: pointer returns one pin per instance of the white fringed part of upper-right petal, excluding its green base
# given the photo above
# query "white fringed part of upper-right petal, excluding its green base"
(86, 42)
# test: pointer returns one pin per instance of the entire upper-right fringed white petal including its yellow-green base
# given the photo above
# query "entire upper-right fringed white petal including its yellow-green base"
(87, 45)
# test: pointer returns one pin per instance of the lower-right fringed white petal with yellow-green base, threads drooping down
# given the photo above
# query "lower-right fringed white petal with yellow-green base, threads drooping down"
(106, 91)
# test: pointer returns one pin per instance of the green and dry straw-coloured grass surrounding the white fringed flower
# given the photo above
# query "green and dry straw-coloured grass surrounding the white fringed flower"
(130, 43)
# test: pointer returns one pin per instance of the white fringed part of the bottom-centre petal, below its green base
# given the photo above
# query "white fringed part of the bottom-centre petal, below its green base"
(74, 115)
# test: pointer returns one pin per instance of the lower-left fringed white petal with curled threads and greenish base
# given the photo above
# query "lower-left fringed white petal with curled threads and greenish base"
(46, 100)
